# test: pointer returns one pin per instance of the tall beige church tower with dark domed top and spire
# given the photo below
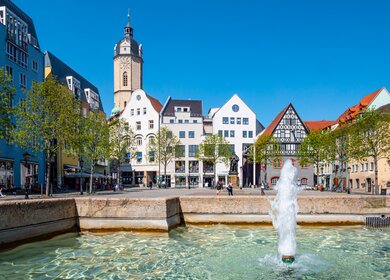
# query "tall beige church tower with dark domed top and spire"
(127, 68)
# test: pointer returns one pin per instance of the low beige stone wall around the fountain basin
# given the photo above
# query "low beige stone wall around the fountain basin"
(27, 220)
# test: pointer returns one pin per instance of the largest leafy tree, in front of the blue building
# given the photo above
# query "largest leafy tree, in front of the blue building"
(46, 120)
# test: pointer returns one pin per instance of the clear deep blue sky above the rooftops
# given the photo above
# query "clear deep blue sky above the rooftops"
(322, 56)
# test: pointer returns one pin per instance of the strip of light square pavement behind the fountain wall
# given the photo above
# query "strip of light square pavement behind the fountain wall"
(155, 193)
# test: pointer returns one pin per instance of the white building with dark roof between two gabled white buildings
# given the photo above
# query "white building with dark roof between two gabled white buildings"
(184, 118)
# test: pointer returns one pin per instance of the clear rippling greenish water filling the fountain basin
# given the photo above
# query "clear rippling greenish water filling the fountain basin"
(213, 252)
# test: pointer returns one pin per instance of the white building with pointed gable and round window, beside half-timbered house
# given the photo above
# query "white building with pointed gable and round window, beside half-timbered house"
(237, 123)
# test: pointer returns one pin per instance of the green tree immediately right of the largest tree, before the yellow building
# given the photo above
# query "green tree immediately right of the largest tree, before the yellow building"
(94, 140)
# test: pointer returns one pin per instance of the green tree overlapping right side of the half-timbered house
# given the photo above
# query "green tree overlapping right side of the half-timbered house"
(318, 148)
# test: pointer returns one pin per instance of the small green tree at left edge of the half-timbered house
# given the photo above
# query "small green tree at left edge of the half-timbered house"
(267, 148)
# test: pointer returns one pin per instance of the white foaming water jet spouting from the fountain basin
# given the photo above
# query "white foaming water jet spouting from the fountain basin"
(284, 210)
